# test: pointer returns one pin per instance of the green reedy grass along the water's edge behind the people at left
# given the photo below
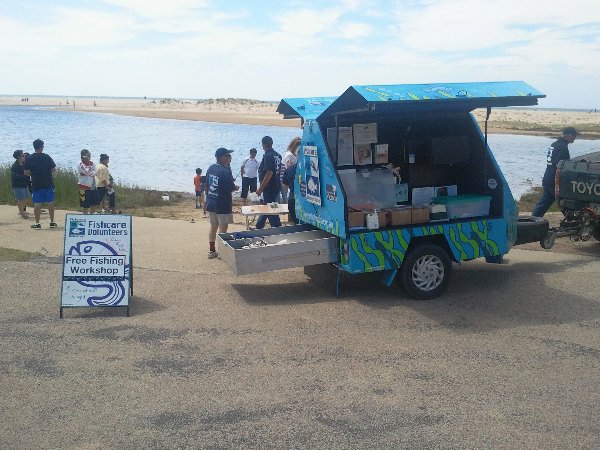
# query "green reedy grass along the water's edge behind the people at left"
(130, 198)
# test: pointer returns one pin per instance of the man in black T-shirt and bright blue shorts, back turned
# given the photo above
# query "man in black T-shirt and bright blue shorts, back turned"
(41, 167)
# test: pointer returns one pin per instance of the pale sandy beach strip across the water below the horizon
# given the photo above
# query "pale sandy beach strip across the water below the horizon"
(256, 112)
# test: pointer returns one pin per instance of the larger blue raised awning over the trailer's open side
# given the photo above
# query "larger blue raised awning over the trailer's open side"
(433, 97)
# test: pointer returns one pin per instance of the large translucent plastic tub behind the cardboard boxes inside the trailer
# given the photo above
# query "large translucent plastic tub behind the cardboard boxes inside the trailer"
(369, 189)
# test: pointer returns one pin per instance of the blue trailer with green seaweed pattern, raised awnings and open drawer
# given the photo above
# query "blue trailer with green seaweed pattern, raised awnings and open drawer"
(393, 179)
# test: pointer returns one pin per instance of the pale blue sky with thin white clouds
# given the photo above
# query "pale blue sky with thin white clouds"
(267, 50)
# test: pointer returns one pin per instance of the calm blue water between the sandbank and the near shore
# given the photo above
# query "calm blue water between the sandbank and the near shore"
(164, 153)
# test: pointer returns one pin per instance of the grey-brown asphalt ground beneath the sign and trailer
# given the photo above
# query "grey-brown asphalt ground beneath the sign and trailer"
(509, 357)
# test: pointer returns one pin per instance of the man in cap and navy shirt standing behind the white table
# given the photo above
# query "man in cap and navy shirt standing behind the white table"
(270, 183)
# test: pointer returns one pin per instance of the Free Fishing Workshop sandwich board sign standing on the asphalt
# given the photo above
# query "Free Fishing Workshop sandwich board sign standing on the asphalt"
(97, 261)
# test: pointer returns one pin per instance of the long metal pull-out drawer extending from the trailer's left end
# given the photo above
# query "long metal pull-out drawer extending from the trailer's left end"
(277, 248)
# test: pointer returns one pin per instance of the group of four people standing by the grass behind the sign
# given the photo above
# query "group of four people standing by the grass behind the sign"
(33, 174)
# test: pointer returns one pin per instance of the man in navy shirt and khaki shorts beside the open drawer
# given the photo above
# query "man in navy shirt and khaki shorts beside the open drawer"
(220, 185)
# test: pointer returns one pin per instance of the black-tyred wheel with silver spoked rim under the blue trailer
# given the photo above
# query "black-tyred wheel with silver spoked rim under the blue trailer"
(425, 272)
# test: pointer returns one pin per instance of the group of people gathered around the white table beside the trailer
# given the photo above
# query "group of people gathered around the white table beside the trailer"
(274, 173)
